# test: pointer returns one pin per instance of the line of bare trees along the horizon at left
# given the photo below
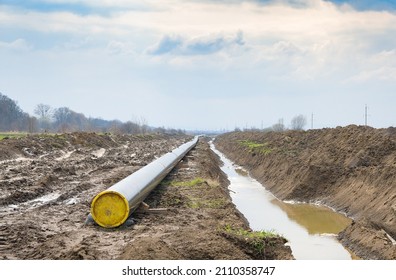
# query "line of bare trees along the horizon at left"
(63, 119)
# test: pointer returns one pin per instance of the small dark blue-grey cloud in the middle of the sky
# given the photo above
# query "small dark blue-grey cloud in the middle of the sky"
(206, 45)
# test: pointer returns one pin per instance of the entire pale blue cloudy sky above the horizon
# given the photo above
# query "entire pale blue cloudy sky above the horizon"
(203, 65)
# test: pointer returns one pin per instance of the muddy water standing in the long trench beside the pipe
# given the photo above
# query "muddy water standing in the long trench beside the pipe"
(310, 229)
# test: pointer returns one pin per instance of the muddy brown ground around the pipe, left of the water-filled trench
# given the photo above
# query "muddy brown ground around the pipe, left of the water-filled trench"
(47, 183)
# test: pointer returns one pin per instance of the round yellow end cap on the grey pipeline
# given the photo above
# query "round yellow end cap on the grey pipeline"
(110, 209)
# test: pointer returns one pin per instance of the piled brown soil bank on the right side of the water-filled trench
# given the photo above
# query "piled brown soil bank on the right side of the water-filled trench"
(351, 169)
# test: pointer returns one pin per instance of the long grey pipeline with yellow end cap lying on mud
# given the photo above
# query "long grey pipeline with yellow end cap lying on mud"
(112, 207)
